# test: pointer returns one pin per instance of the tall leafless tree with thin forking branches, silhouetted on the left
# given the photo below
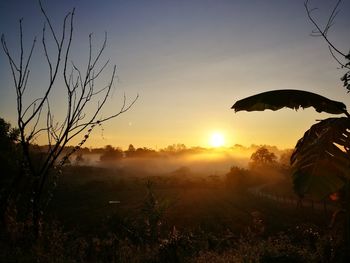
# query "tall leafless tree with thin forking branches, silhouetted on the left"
(37, 118)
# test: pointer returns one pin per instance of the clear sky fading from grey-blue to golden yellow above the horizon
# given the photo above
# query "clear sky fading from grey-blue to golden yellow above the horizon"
(188, 61)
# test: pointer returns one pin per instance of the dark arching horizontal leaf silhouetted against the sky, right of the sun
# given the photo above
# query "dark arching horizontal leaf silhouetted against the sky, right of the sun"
(294, 99)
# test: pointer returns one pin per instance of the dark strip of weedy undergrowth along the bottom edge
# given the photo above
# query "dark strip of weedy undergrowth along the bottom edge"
(302, 244)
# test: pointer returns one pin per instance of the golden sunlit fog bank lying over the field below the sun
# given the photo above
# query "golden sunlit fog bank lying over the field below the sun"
(195, 163)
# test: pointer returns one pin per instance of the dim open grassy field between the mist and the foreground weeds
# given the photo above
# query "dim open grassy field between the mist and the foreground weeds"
(82, 200)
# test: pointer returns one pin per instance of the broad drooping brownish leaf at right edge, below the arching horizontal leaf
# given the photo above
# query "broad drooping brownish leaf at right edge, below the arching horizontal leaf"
(321, 158)
